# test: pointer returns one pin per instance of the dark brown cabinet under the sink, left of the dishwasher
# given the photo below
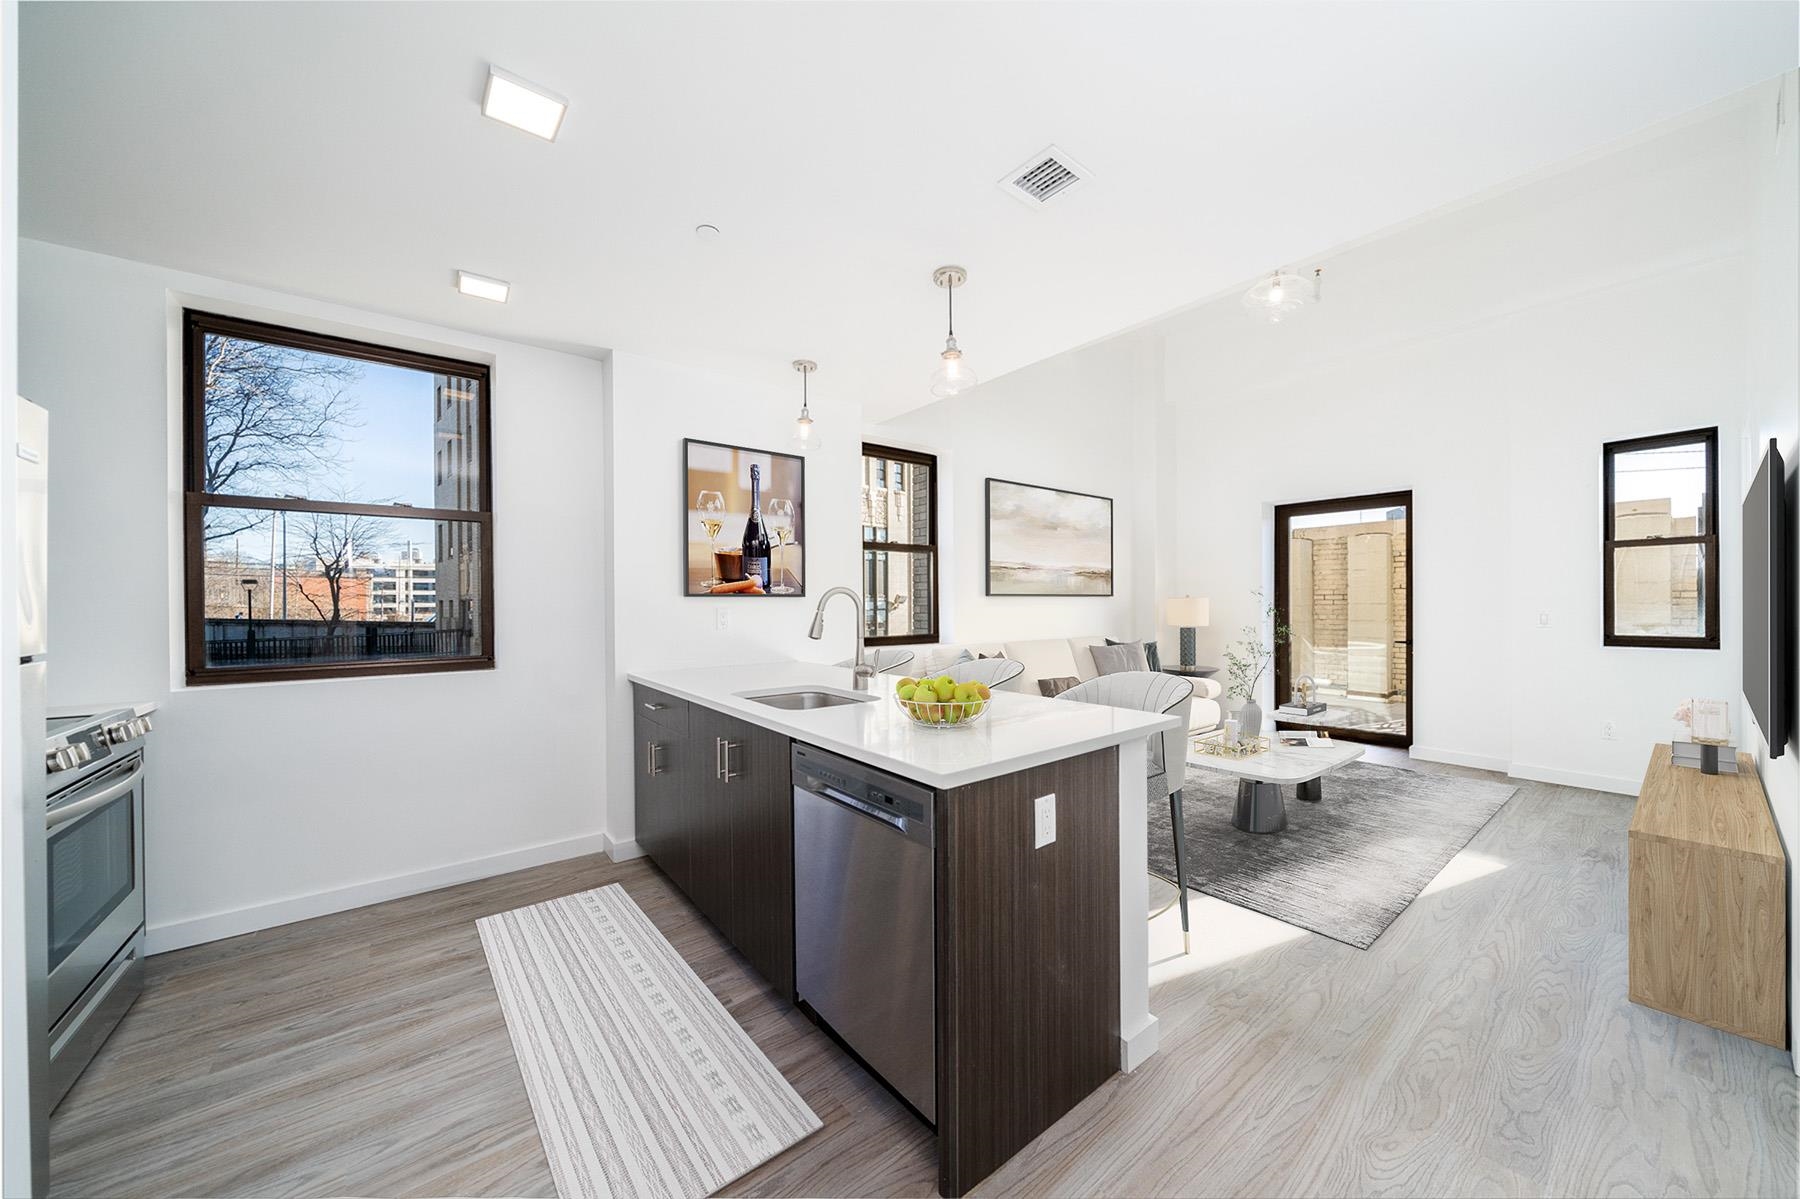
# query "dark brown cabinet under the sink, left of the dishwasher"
(715, 811)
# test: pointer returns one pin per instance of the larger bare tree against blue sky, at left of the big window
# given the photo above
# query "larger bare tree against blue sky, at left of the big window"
(274, 415)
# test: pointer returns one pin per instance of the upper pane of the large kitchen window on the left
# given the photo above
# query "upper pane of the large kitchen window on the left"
(305, 424)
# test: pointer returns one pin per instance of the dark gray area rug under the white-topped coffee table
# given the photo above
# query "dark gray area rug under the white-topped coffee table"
(1345, 867)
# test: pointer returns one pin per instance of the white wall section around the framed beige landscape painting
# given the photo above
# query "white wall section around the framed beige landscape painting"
(1083, 422)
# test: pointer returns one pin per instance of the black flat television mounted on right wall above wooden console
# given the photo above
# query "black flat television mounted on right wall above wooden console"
(1768, 609)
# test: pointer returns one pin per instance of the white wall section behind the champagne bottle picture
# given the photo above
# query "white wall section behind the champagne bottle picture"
(652, 406)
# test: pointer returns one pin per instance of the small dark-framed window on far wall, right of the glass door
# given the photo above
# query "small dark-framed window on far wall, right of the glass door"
(1660, 539)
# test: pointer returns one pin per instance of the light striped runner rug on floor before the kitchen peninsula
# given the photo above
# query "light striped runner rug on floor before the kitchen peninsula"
(640, 1081)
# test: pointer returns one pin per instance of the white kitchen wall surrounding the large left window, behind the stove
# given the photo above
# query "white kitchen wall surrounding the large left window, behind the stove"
(278, 802)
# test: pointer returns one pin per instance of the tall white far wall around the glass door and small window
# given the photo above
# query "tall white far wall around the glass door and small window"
(1480, 357)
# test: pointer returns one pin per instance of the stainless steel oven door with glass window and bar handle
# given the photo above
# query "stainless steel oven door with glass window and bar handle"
(94, 867)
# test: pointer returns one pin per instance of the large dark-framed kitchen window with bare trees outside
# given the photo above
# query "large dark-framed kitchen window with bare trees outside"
(337, 507)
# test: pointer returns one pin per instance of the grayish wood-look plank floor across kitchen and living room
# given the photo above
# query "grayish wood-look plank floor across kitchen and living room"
(1484, 1045)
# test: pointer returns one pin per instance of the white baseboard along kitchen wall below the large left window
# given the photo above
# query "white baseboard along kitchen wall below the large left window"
(161, 939)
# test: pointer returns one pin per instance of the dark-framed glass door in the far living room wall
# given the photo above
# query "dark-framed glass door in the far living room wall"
(1344, 584)
